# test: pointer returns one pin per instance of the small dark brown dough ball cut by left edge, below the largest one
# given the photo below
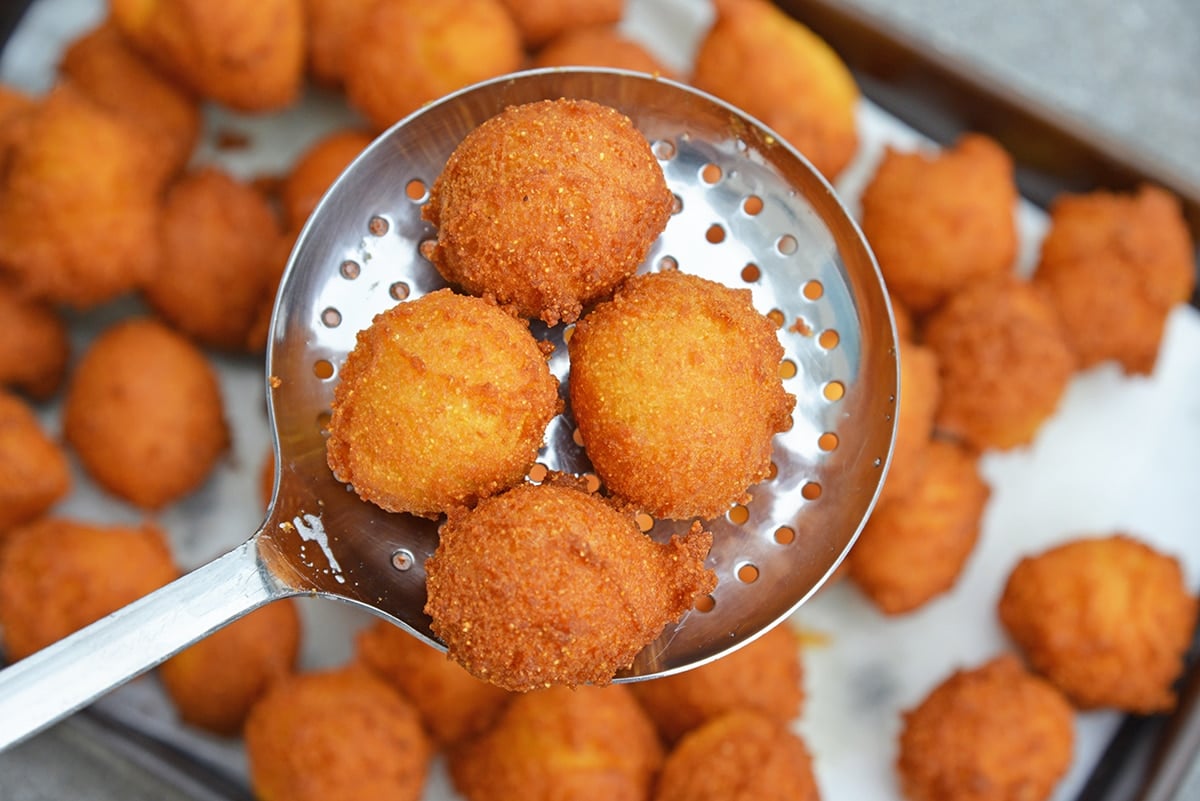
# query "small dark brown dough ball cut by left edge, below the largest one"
(35, 347)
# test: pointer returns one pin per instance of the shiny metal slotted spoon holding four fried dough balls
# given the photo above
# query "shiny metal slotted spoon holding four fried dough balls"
(751, 214)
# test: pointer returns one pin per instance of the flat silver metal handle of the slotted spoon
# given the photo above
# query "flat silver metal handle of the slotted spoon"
(70, 674)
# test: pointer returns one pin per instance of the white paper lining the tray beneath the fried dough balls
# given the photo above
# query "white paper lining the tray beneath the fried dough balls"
(1119, 455)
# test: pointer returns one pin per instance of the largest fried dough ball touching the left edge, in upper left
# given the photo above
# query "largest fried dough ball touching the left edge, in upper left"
(80, 220)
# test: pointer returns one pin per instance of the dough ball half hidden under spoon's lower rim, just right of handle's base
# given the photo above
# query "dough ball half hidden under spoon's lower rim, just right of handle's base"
(454, 706)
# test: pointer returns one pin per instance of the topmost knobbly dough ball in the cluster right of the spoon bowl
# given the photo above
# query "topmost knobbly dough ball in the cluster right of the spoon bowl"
(940, 222)
